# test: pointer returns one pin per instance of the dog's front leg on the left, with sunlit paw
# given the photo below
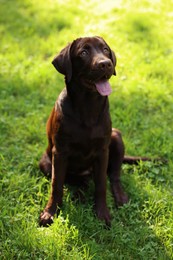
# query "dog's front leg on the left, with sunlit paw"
(59, 166)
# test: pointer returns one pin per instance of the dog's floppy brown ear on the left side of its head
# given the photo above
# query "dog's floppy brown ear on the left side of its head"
(62, 62)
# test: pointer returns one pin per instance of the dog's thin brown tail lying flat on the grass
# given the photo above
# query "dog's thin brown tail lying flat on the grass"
(136, 159)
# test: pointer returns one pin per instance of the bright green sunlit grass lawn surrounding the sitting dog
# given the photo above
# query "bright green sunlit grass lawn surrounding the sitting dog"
(31, 32)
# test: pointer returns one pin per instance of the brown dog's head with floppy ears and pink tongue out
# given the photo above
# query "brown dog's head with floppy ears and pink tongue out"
(88, 60)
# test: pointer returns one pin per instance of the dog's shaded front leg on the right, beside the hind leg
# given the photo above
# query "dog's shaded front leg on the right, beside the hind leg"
(100, 174)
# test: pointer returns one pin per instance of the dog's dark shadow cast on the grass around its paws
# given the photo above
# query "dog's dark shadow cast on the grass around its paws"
(128, 224)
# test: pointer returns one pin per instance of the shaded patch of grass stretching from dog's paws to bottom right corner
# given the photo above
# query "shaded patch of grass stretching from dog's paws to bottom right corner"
(129, 237)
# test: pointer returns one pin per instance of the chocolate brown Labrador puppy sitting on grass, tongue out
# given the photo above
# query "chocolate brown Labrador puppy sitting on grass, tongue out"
(81, 140)
